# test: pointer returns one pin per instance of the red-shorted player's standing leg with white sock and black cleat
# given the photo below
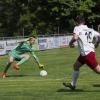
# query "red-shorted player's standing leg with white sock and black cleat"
(79, 62)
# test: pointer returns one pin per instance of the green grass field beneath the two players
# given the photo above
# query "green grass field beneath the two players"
(26, 84)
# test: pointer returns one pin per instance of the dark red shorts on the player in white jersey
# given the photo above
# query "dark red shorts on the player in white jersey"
(89, 59)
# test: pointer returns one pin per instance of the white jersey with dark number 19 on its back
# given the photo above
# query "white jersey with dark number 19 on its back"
(85, 39)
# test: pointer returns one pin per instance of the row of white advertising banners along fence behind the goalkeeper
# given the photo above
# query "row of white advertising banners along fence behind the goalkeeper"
(42, 43)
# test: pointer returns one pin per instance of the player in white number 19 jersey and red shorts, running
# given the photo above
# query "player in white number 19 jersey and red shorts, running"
(84, 37)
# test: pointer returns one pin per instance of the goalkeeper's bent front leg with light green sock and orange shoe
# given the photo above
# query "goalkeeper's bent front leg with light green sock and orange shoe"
(23, 58)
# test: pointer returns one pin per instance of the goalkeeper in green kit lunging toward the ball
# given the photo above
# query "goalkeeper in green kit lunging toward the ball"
(21, 54)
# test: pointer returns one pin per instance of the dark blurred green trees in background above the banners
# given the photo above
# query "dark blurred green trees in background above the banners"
(40, 17)
